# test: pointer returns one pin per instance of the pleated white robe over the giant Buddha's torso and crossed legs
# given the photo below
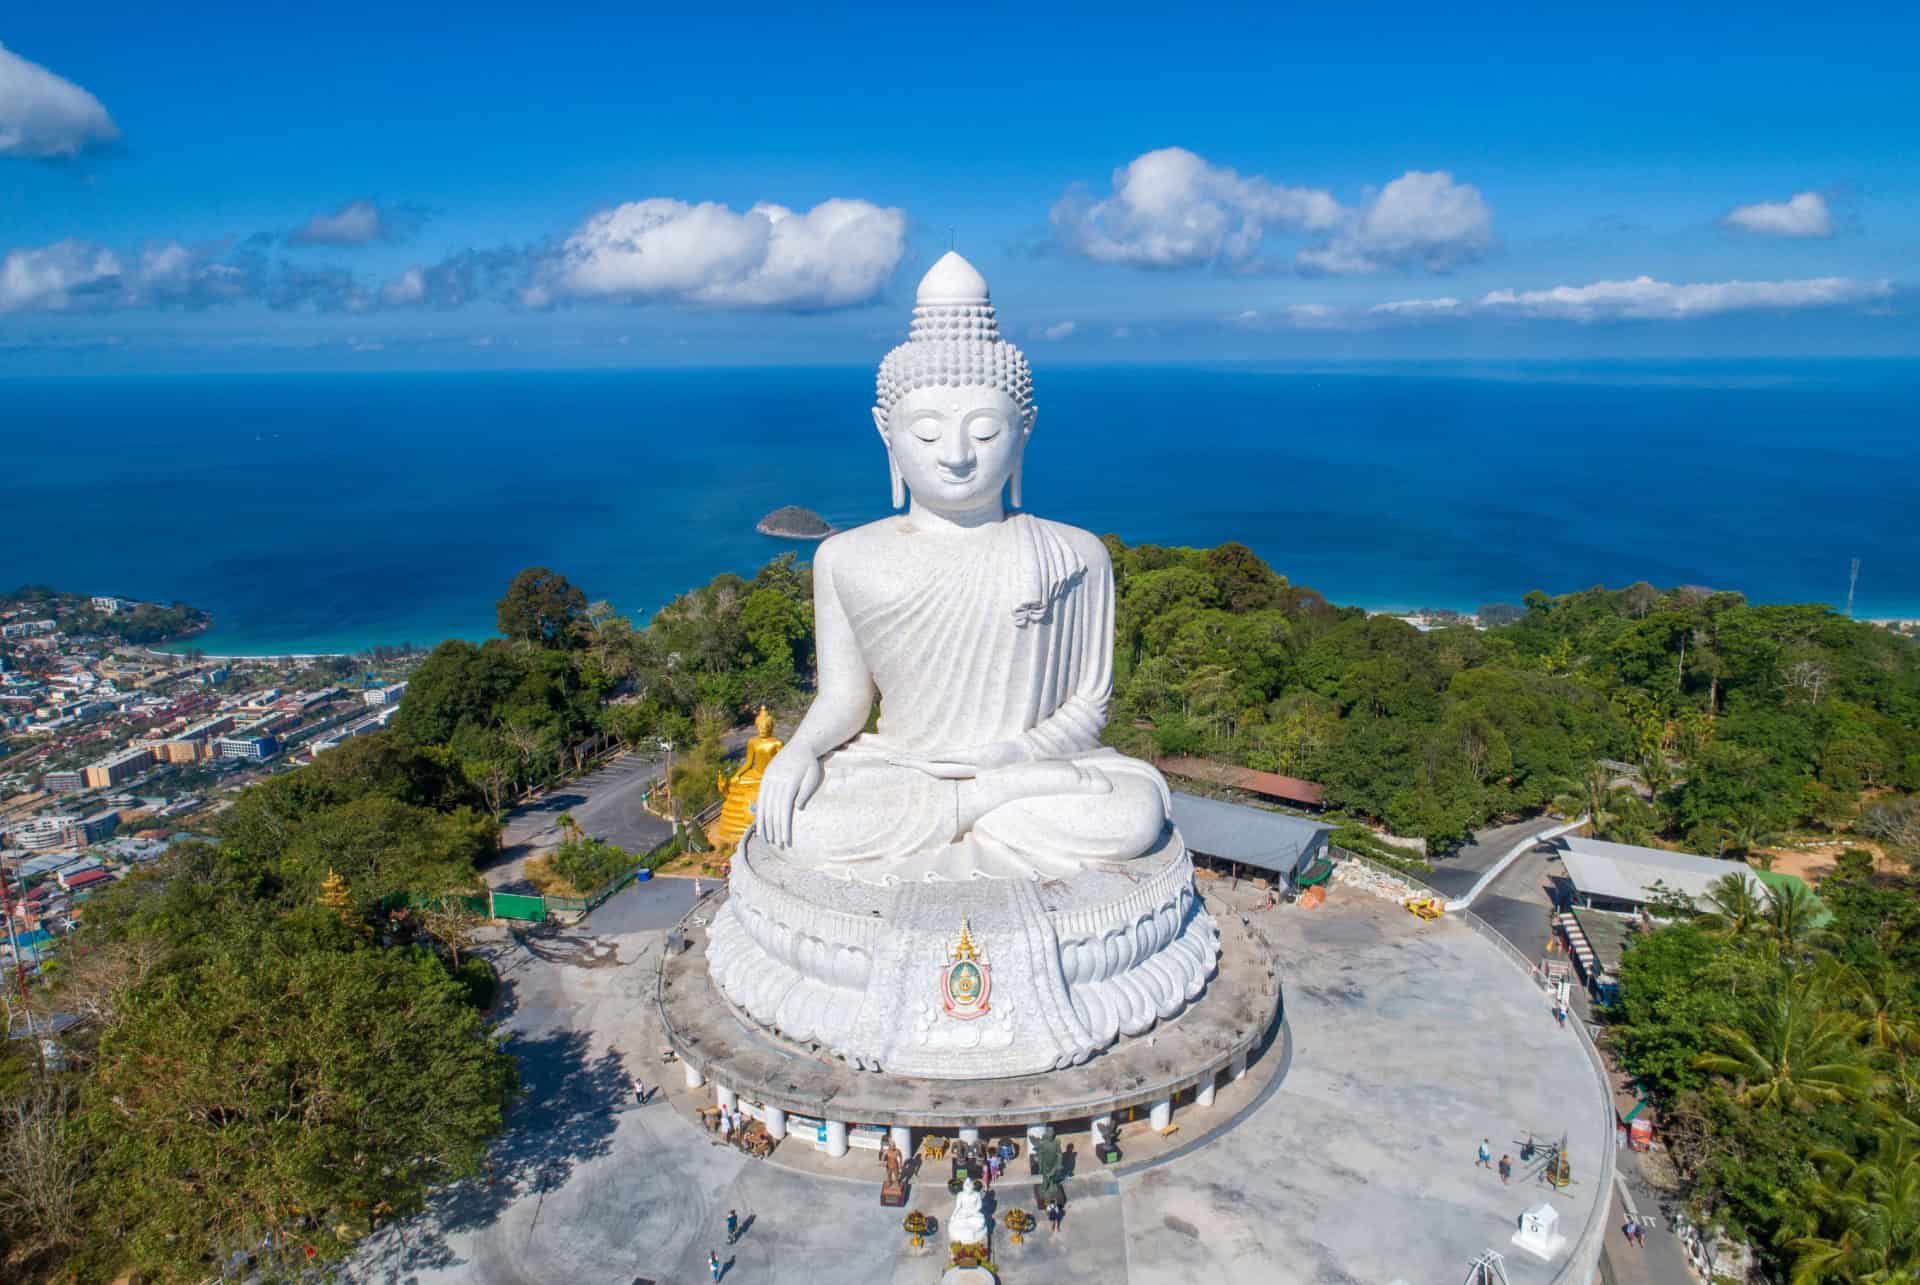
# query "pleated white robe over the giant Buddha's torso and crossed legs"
(1005, 635)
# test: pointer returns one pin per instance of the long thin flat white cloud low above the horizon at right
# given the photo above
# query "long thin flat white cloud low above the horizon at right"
(1644, 299)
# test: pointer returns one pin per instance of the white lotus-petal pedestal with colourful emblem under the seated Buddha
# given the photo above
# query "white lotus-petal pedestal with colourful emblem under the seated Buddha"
(1055, 969)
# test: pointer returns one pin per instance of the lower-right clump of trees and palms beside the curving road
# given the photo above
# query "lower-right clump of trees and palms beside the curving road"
(1781, 1038)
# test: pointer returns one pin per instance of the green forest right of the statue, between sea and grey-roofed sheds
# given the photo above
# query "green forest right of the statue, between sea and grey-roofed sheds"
(1742, 721)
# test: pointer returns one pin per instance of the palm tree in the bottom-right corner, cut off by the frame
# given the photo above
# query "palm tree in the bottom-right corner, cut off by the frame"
(1863, 1223)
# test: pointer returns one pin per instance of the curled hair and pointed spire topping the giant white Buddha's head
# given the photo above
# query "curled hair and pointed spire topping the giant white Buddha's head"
(955, 341)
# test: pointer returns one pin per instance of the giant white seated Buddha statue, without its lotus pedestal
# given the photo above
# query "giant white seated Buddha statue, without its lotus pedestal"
(988, 633)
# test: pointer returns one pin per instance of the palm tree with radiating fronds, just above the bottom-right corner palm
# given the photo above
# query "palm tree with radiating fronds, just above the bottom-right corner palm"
(1800, 1052)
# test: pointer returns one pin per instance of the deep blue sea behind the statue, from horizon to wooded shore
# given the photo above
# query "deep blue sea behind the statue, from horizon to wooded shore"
(337, 512)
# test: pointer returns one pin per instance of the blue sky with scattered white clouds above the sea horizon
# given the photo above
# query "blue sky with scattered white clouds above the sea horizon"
(264, 187)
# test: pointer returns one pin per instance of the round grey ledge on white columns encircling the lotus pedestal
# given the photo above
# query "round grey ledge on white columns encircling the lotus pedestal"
(777, 1080)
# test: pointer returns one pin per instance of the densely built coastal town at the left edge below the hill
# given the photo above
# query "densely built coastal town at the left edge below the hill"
(112, 752)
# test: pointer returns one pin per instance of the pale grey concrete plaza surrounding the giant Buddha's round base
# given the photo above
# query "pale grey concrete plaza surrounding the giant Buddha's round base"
(1347, 1153)
